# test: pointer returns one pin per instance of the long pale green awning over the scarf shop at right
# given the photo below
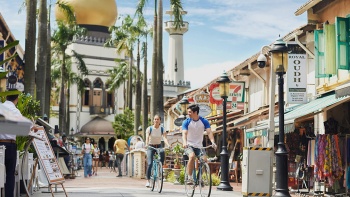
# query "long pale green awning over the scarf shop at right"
(303, 111)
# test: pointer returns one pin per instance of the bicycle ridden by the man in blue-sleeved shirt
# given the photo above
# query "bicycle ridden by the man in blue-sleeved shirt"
(202, 177)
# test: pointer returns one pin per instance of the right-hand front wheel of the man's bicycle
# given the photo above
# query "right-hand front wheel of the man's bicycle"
(205, 180)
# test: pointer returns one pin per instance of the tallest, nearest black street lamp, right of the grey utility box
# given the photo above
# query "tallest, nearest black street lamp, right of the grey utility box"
(279, 53)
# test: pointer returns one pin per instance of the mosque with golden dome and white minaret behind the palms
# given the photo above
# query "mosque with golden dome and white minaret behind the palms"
(92, 113)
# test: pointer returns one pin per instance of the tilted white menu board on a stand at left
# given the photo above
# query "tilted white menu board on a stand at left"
(47, 157)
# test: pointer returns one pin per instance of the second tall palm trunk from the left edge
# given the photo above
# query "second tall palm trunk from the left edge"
(42, 56)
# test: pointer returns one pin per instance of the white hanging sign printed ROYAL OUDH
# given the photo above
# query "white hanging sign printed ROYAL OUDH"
(297, 79)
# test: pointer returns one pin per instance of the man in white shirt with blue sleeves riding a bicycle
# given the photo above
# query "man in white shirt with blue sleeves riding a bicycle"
(192, 135)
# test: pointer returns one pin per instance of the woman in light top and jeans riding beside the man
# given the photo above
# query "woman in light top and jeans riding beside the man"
(154, 135)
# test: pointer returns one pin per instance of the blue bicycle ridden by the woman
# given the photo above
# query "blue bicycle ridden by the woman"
(156, 179)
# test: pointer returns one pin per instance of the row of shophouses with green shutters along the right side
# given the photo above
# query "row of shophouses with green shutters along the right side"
(316, 91)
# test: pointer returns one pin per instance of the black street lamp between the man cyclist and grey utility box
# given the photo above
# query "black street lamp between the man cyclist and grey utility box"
(224, 88)
